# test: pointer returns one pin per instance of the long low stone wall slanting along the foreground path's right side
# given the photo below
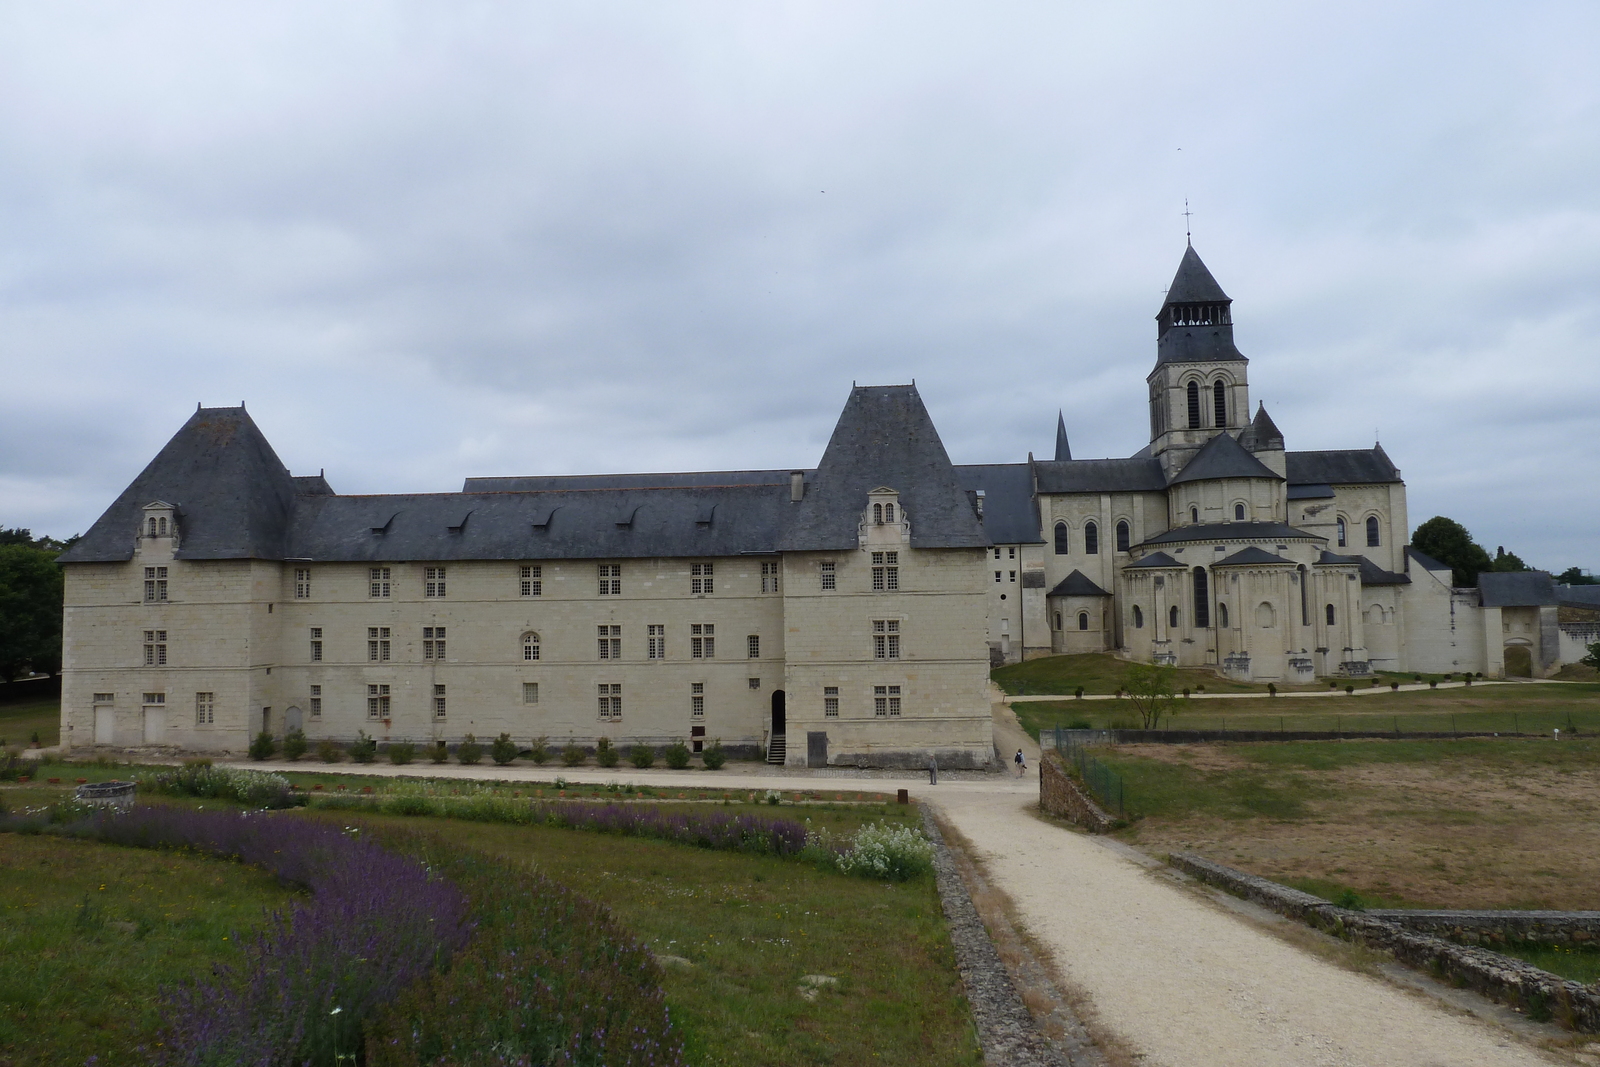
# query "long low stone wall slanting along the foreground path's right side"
(1543, 996)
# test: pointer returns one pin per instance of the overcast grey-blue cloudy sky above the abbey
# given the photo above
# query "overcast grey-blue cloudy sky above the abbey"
(439, 241)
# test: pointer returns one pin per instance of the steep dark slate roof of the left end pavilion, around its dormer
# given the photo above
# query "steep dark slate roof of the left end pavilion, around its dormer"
(233, 495)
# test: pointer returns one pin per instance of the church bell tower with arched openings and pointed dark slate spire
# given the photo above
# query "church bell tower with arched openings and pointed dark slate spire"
(1199, 386)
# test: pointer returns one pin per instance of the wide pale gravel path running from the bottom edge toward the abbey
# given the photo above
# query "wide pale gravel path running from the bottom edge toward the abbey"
(1188, 985)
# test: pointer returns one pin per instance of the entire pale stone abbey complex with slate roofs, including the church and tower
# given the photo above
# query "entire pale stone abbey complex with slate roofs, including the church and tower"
(839, 615)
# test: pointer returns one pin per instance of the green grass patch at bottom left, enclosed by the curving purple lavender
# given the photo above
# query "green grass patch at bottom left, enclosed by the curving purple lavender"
(94, 932)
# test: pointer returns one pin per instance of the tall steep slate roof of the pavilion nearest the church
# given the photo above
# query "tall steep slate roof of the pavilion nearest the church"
(884, 438)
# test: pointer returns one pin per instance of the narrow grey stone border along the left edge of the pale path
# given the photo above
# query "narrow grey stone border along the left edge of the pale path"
(1006, 1029)
